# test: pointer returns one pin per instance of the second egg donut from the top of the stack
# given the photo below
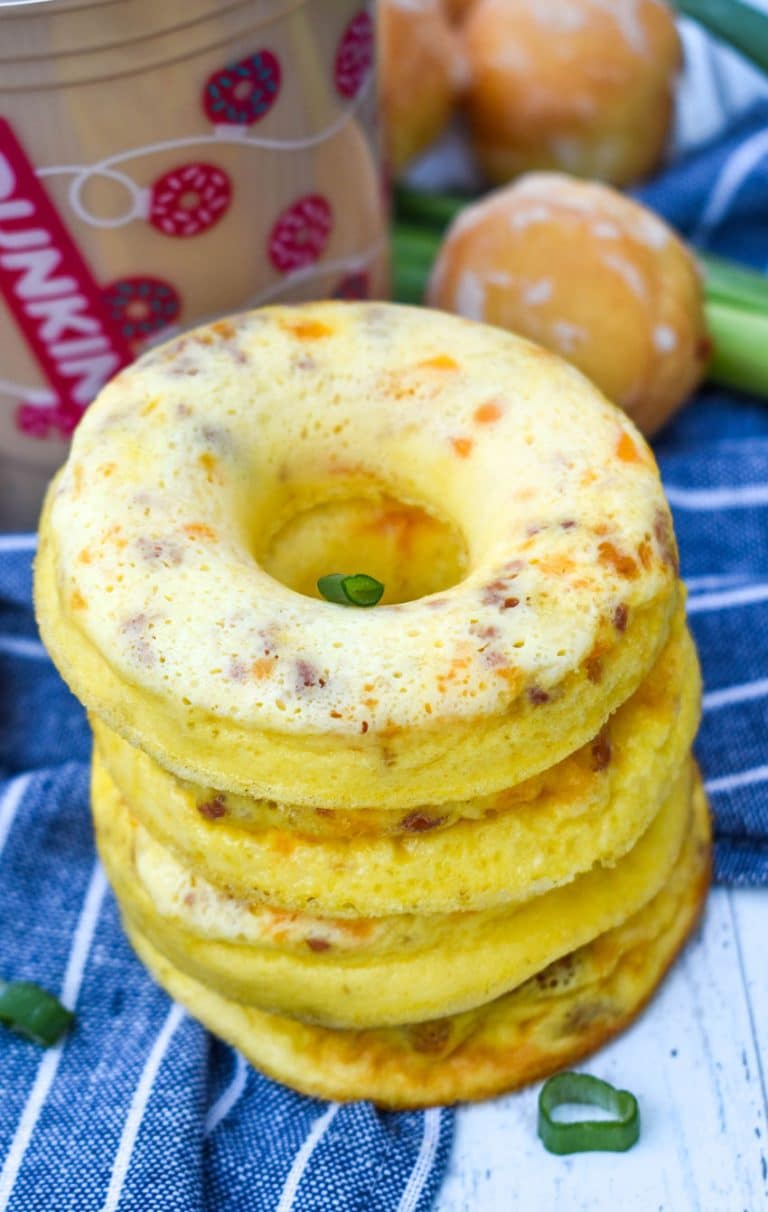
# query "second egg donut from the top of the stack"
(588, 810)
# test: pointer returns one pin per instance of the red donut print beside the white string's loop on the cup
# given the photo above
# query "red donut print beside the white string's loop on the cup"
(190, 199)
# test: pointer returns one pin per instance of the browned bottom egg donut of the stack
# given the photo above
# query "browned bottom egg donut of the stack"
(555, 1019)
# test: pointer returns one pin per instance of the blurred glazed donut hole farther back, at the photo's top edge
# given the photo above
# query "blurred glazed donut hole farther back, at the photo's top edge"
(580, 85)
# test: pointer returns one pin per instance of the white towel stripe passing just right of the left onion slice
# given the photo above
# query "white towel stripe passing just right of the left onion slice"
(49, 1066)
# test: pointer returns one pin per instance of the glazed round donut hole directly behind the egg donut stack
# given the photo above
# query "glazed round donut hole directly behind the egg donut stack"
(592, 276)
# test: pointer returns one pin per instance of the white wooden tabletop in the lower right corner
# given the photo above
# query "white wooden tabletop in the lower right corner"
(698, 1064)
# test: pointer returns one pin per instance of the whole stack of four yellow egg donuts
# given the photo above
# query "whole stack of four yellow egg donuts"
(422, 853)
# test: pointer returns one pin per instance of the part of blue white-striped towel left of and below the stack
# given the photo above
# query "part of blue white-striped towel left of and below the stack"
(141, 1110)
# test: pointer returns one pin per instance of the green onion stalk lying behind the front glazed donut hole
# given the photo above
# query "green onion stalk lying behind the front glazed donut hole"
(736, 298)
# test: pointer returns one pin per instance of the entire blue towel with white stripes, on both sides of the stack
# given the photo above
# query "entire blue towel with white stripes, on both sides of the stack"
(141, 1110)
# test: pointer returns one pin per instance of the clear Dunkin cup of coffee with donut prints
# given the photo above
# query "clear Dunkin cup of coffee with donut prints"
(162, 163)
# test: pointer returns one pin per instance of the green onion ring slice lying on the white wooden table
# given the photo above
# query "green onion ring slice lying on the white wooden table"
(588, 1136)
